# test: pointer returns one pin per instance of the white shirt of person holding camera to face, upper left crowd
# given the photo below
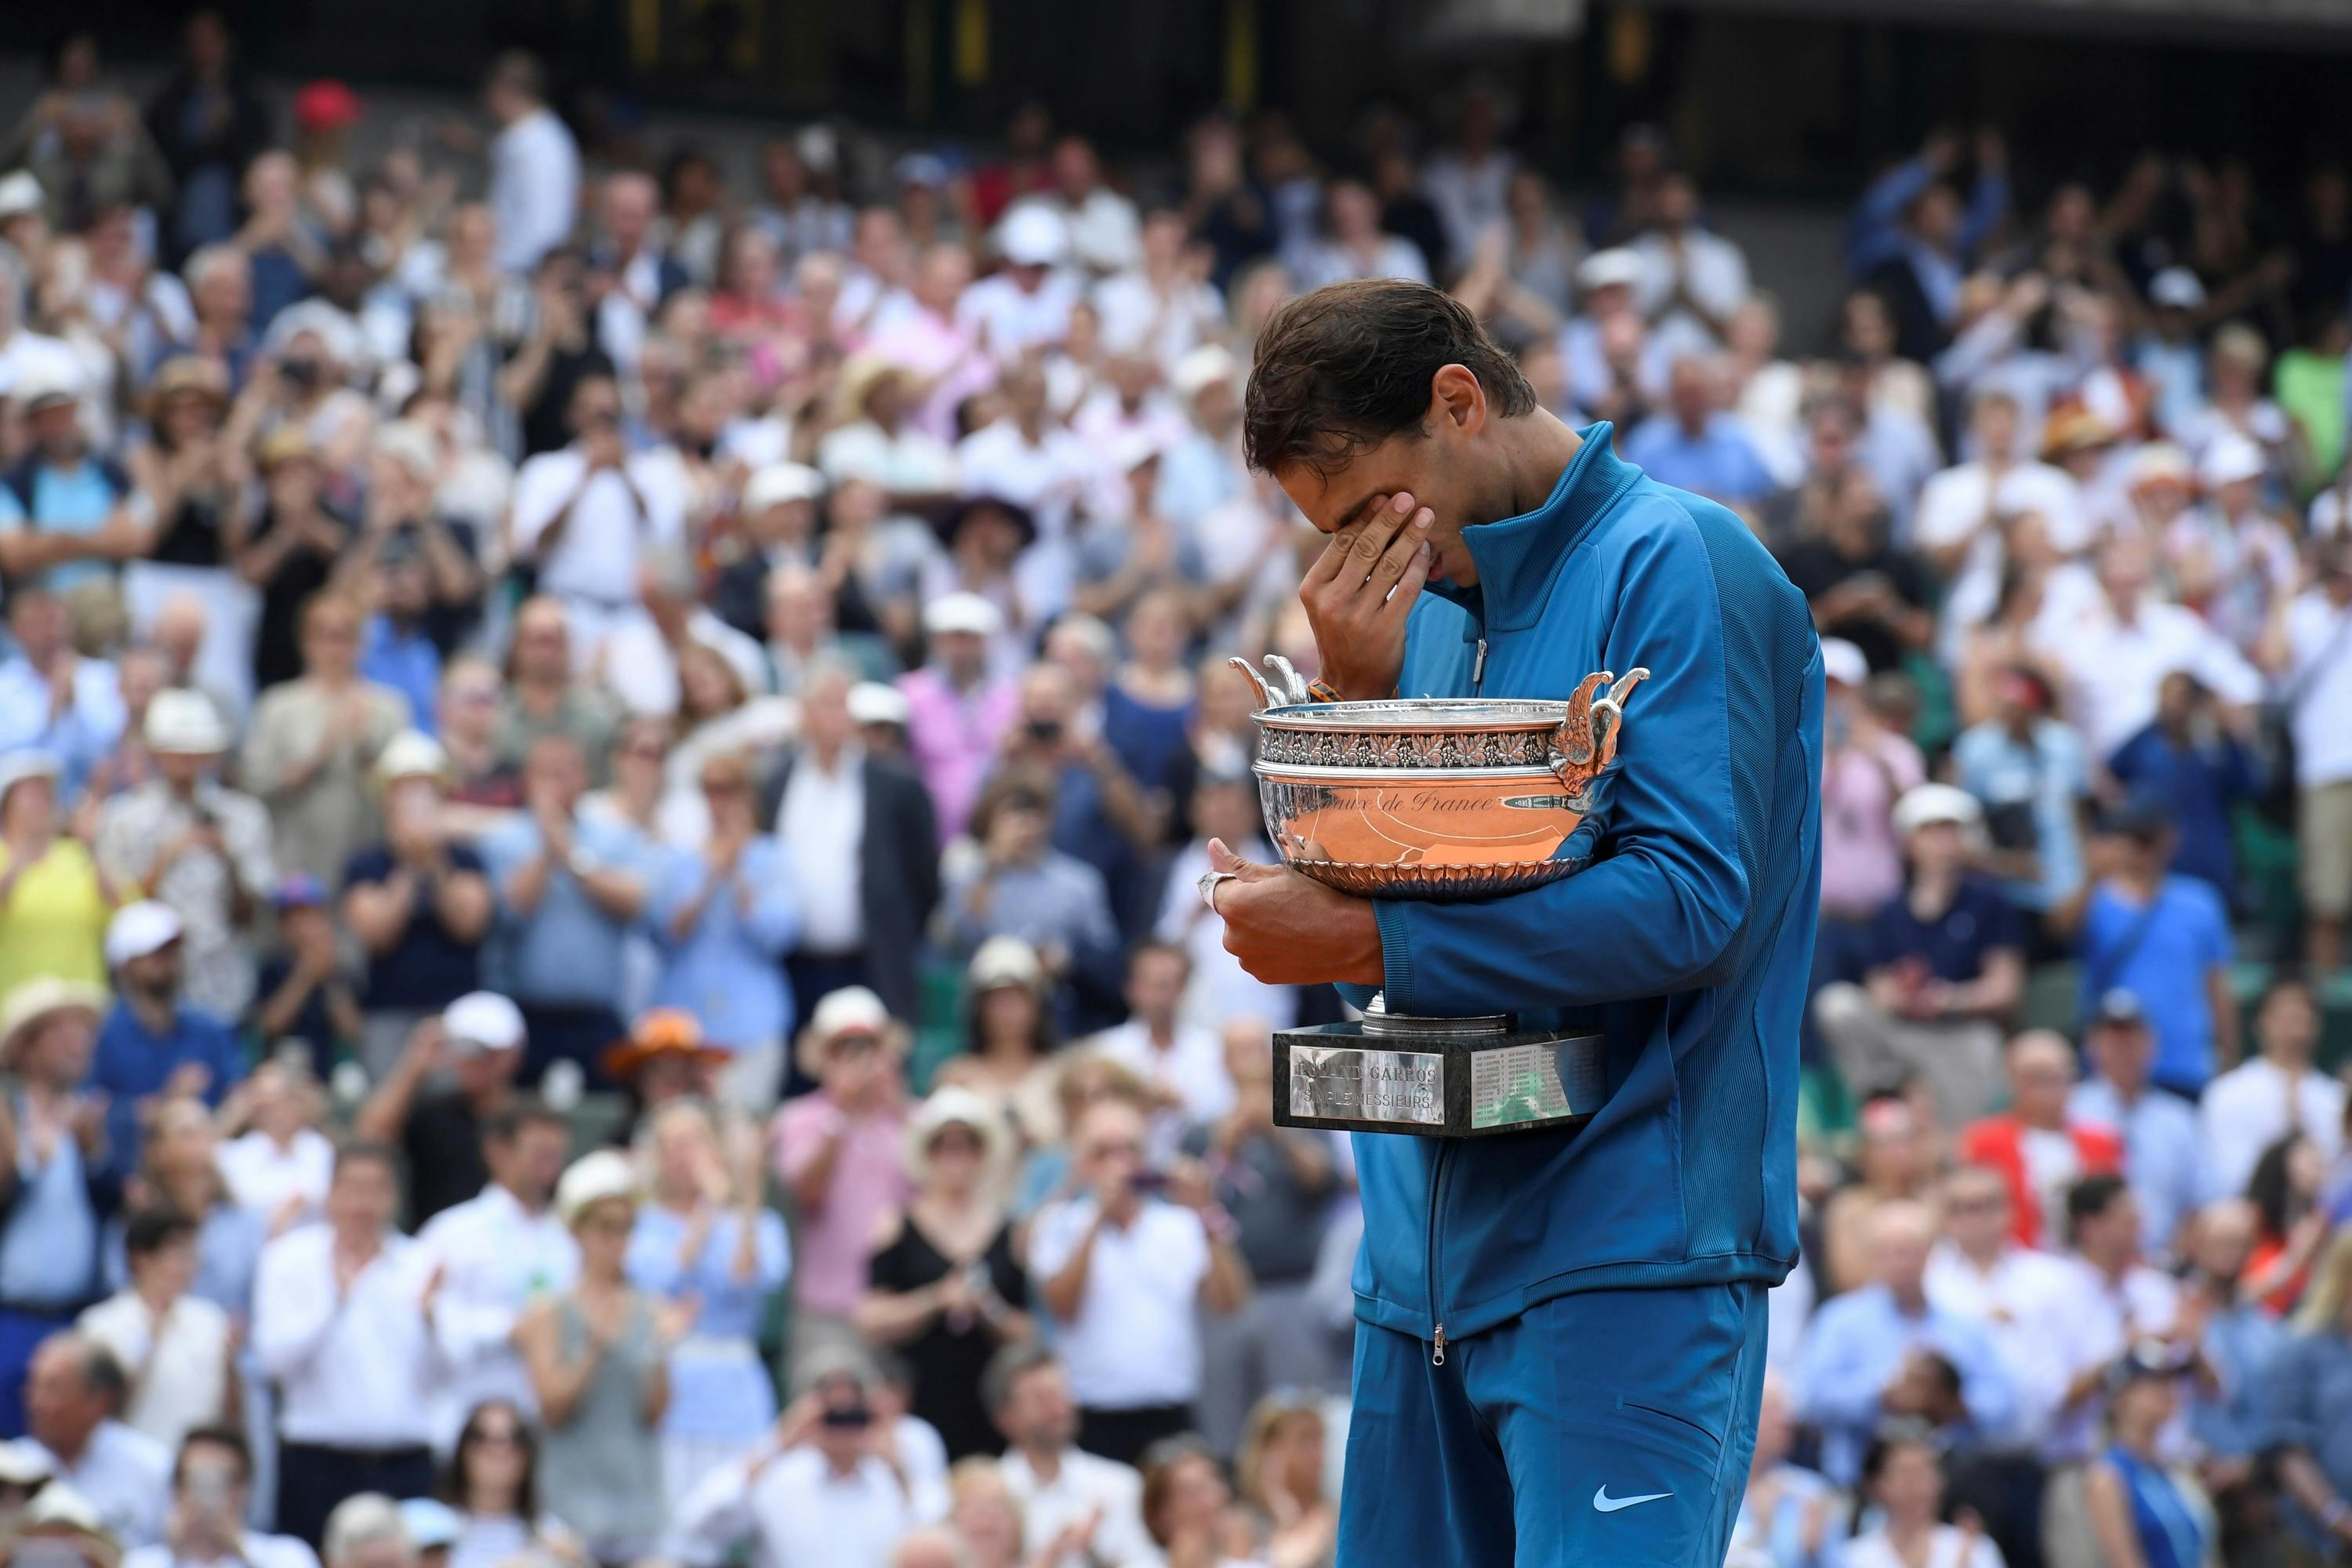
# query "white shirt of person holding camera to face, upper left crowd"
(596, 558)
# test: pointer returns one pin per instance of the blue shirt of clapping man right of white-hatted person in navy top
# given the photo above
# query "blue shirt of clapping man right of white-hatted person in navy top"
(566, 951)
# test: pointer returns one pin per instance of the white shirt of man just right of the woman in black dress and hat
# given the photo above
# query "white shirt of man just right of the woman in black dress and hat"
(1135, 1339)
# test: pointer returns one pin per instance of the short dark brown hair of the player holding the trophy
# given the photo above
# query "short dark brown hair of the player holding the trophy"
(1349, 368)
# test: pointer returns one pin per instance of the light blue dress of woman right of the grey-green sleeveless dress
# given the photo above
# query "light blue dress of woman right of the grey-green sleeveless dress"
(719, 1388)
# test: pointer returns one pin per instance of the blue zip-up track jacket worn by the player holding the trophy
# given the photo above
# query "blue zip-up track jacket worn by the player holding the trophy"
(1688, 937)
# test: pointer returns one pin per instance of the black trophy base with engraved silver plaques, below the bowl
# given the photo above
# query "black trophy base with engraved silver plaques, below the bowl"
(1436, 1078)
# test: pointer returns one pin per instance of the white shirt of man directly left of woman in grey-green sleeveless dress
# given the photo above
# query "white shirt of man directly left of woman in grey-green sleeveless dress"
(495, 1261)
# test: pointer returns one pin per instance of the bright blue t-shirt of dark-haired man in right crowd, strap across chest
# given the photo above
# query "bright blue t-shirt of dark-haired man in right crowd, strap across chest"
(2165, 963)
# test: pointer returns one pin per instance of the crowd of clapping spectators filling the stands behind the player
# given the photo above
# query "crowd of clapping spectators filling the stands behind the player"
(603, 768)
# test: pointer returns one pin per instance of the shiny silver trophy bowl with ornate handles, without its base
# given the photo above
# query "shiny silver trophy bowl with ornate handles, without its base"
(1431, 798)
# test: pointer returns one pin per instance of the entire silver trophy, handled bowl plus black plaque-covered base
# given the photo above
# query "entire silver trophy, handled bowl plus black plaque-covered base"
(1434, 798)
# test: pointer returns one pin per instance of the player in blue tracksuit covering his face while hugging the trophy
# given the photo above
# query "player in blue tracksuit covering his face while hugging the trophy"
(1563, 1334)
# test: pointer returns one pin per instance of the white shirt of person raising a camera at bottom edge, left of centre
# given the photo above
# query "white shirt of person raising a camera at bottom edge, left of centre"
(799, 1513)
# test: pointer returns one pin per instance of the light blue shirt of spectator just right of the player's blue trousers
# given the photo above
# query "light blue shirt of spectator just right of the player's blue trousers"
(1852, 1353)
